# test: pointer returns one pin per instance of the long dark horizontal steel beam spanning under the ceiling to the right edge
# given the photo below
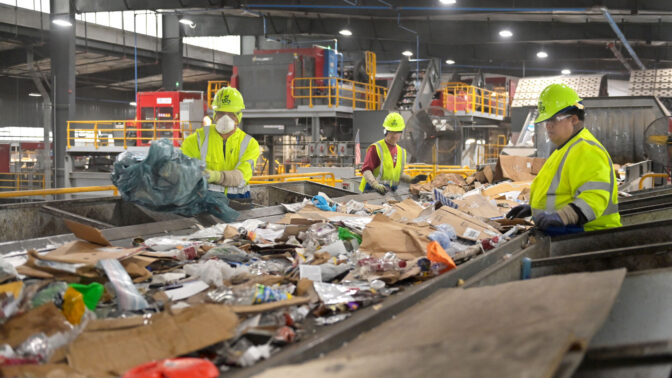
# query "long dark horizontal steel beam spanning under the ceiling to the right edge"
(458, 32)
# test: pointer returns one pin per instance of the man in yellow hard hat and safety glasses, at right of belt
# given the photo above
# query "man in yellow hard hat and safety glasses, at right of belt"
(576, 189)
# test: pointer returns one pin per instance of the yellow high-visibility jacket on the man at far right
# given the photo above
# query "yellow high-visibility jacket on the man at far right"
(581, 173)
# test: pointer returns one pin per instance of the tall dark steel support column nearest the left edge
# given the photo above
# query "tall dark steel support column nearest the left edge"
(62, 51)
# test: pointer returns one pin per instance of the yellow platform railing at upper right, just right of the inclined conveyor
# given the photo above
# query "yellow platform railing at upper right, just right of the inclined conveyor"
(469, 99)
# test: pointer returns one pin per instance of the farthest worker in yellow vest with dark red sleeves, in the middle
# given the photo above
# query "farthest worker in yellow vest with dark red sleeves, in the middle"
(384, 162)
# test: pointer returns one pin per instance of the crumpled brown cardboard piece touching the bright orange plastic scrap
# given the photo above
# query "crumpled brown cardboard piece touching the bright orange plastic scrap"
(385, 235)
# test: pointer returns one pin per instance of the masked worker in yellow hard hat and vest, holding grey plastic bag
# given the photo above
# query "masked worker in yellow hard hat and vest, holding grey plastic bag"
(228, 152)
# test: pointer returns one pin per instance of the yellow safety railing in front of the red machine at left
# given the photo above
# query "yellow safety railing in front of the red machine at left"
(125, 133)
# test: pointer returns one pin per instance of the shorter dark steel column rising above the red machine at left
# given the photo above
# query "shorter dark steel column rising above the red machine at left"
(171, 53)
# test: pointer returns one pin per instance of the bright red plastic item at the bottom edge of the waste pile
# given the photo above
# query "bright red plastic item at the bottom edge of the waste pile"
(175, 368)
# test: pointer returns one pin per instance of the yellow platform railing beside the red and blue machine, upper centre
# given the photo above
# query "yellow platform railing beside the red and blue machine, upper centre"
(336, 91)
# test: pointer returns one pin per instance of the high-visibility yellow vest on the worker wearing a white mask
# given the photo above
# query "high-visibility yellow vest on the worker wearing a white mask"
(242, 152)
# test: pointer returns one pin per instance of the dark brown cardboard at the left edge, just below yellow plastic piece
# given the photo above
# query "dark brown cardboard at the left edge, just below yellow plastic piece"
(46, 318)
